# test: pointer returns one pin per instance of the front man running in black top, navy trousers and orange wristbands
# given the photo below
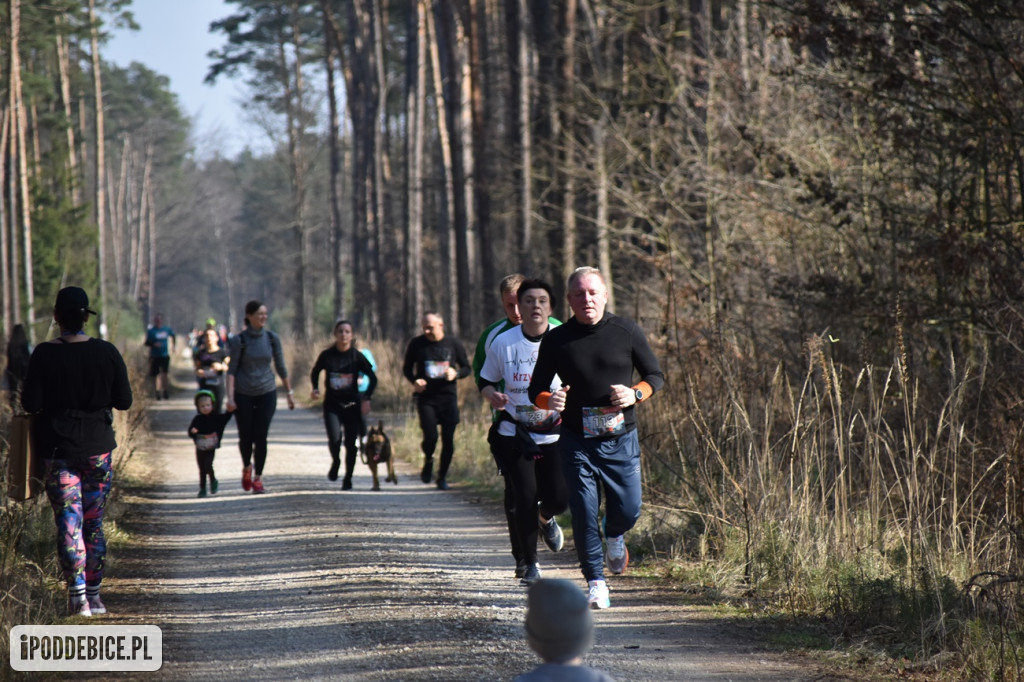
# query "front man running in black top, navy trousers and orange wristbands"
(595, 355)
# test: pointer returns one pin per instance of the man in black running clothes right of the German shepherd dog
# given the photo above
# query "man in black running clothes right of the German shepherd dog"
(434, 363)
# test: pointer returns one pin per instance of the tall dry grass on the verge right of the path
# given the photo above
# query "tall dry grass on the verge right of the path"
(852, 496)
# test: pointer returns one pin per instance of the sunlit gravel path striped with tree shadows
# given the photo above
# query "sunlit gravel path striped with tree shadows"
(406, 584)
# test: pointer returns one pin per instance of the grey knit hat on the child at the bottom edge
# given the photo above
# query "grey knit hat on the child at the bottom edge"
(560, 627)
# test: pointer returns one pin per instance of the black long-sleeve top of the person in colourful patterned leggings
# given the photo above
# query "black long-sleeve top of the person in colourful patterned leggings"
(72, 388)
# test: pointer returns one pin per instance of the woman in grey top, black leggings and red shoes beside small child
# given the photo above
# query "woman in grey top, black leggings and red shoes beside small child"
(252, 394)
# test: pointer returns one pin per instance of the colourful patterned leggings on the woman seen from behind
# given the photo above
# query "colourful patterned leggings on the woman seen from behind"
(78, 495)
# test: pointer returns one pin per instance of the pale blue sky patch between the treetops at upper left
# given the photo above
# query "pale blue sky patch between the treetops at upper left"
(174, 40)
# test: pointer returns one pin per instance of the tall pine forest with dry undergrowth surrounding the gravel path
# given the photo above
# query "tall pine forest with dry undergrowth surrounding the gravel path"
(816, 208)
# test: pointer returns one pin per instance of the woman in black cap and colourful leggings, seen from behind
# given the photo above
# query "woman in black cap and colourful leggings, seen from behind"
(72, 385)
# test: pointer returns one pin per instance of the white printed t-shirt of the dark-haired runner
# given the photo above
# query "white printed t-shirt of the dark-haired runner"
(513, 357)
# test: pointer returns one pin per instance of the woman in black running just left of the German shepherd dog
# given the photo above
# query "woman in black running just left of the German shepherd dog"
(346, 403)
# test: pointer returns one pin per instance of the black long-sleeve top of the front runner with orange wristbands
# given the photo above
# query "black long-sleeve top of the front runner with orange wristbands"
(590, 359)
